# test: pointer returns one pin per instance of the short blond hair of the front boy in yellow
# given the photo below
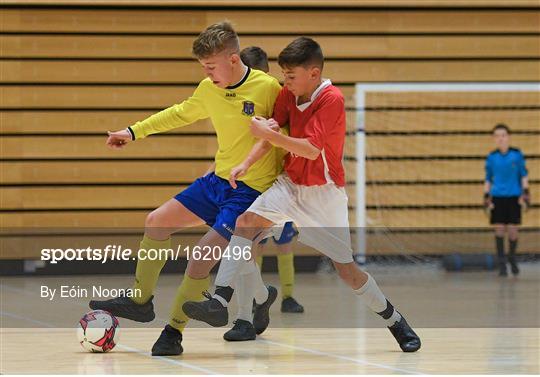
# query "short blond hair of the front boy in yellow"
(215, 39)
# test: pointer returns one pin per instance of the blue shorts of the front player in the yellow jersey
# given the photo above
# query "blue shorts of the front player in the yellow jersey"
(214, 200)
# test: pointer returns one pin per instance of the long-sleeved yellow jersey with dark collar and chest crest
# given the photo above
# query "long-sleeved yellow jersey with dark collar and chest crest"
(230, 111)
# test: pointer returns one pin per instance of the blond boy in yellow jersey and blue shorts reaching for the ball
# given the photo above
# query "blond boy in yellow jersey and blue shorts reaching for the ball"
(230, 96)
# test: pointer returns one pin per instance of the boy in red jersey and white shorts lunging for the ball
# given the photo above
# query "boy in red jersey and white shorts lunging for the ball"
(310, 192)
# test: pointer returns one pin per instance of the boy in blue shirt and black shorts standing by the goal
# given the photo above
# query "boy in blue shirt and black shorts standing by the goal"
(506, 191)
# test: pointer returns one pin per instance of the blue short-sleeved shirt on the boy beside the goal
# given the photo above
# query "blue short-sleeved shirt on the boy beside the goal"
(504, 172)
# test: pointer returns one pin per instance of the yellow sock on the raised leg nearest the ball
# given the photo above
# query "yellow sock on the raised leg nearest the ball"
(148, 271)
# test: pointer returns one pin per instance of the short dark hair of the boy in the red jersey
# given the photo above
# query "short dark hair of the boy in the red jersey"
(304, 52)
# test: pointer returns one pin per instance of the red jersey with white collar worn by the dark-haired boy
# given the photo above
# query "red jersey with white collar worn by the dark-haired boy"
(322, 123)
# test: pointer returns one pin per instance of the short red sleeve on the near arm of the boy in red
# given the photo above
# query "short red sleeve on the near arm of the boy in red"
(321, 122)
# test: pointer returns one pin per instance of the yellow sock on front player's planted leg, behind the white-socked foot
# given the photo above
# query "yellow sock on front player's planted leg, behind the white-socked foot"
(190, 290)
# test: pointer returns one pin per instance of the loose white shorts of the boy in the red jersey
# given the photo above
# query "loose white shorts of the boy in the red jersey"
(319, 212)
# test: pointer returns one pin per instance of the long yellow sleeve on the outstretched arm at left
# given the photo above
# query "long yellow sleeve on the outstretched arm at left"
(179, 115)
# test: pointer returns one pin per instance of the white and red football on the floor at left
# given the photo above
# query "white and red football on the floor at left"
(98, 331)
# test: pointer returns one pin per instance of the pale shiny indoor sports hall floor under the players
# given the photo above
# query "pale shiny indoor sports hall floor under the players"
(470, 322)
